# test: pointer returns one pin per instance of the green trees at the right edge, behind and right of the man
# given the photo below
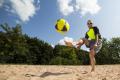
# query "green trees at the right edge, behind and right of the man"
(110, 52)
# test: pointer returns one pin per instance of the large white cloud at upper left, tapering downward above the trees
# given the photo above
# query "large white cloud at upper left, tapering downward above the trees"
(25, 9)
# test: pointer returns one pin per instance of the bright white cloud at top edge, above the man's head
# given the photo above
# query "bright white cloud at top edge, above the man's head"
(87, 6)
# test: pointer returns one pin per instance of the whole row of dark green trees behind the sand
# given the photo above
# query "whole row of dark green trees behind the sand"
(19, 48)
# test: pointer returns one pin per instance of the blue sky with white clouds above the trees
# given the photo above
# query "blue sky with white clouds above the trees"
(38, 17)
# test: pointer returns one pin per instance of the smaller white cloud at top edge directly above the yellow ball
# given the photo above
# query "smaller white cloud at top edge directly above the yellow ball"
(65, 7)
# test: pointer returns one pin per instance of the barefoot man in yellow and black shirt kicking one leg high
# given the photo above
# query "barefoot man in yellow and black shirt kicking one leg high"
(92, 40)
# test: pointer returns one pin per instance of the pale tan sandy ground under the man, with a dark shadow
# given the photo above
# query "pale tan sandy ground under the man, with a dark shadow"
(48, 72)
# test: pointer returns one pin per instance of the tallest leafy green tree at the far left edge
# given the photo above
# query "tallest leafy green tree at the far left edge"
(12, 45)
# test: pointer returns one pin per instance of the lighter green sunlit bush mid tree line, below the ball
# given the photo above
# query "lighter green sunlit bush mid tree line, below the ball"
(64, 55)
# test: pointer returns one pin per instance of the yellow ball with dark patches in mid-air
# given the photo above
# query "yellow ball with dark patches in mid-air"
(62, 25)
